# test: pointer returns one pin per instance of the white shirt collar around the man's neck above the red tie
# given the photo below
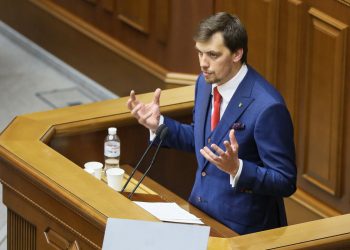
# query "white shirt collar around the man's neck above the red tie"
(228, 89)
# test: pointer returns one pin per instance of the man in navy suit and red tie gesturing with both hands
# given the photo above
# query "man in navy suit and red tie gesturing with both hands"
(242, 133)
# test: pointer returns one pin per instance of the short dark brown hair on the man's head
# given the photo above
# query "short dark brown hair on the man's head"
(233, 31)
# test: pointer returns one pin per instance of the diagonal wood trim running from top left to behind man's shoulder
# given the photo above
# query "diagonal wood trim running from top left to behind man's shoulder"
(114, 45)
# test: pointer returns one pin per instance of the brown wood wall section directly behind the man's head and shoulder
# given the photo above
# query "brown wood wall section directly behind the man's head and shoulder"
(260, 18)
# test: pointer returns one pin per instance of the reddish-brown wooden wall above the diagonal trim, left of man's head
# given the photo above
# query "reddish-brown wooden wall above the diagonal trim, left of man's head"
(144, 26)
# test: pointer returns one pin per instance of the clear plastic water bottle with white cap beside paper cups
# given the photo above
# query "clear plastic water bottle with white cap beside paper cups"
(112, 149)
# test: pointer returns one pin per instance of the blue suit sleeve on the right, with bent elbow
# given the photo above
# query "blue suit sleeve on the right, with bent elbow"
(274, 139)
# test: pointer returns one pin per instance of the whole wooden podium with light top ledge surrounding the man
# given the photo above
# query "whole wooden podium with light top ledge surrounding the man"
(53, 204)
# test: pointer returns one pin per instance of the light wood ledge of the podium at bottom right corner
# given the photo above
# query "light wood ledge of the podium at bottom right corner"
(316, 234)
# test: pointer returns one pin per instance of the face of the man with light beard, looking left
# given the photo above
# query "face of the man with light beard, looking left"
(217, 62)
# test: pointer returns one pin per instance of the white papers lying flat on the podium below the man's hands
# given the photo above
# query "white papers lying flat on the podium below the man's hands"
(169, 211)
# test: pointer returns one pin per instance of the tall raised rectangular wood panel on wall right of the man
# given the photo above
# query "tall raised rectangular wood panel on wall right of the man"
(325, 94)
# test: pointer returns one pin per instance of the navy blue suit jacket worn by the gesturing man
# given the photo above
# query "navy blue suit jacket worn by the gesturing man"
(264, 132)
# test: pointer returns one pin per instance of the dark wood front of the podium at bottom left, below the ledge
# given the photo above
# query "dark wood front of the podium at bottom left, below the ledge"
(31, 207)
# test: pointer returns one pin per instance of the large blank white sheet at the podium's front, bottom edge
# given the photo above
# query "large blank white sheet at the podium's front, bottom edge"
(149, 235)
